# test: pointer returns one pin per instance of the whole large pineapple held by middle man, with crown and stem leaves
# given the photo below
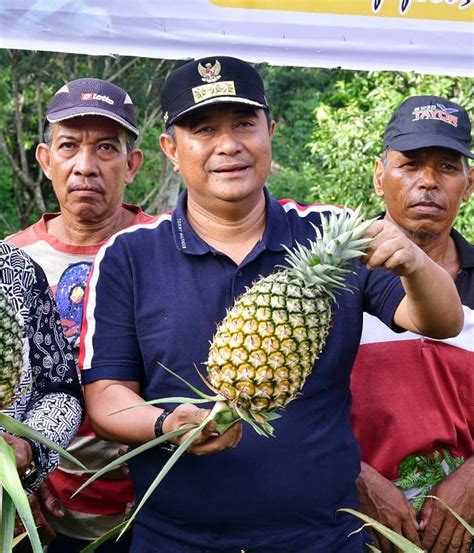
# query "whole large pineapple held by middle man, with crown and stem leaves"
(265, 348)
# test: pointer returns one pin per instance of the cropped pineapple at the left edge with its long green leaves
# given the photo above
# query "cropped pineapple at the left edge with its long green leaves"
(14, 498)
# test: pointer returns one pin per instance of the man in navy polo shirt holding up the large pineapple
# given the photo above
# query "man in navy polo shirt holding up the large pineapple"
(156, 296)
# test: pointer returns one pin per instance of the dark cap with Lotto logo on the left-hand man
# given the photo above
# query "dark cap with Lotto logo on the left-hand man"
(93, 97)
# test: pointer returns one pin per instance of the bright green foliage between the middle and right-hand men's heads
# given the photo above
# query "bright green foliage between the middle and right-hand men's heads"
(330, 156)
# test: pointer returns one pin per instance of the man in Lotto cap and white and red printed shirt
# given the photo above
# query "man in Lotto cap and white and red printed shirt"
(88, 154)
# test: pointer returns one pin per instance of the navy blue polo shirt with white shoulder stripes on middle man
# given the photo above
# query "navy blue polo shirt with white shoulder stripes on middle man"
(157, 293)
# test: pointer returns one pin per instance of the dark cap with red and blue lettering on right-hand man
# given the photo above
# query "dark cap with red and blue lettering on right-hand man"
(425, 121)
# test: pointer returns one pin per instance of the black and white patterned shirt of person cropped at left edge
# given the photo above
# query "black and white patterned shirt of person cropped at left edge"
(49, 397)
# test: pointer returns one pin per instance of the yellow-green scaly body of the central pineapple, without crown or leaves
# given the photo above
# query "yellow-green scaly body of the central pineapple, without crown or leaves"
(287, 350)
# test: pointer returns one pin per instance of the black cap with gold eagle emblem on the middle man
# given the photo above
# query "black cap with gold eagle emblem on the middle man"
(213, 80)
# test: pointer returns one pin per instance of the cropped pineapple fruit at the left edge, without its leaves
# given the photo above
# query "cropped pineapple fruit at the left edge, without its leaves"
(11, 352)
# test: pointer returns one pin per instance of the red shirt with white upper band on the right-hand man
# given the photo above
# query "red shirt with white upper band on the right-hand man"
(412, 394)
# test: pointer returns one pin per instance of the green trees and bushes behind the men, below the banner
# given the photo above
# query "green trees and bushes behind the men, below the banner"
(329, 132)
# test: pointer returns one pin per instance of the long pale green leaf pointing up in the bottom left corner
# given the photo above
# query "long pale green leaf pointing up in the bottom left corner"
(11, 483)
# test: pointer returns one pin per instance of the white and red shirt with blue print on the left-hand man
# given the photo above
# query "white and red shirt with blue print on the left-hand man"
(102, 504)
